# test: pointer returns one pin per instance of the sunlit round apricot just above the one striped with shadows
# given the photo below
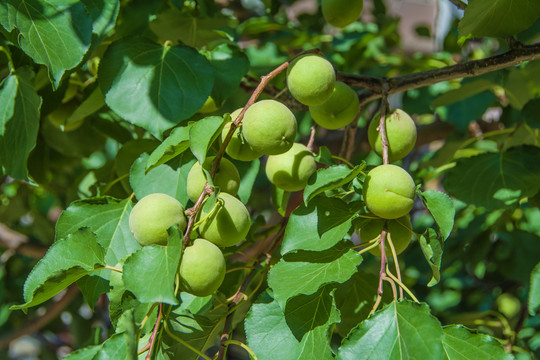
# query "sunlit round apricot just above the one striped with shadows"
(269, 127)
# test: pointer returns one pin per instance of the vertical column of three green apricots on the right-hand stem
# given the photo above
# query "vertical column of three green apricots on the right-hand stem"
(389, 190)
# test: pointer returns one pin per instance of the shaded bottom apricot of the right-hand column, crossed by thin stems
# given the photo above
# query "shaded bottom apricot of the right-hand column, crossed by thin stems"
(399, 231)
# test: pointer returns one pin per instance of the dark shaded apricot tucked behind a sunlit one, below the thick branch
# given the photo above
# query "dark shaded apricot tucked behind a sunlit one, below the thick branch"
(339, 110)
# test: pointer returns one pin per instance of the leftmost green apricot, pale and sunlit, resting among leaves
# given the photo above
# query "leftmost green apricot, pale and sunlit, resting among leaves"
(153, 215)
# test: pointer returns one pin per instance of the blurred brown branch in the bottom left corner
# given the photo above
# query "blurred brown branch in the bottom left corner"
(51, 313)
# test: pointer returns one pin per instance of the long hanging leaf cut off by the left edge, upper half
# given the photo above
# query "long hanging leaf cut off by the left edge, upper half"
(21, 128)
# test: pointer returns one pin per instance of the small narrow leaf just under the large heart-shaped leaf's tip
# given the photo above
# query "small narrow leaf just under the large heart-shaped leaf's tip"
(175, 144)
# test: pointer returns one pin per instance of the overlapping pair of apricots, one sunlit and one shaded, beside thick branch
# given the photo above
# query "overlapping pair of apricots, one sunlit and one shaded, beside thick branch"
(312, 81)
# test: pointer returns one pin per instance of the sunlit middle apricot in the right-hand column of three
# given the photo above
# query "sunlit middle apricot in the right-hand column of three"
(389, 191)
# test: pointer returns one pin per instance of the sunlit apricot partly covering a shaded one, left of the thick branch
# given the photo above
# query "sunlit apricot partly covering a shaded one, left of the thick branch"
(311, 79)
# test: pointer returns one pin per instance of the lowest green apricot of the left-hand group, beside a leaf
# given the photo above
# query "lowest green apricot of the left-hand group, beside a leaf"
(202, 269)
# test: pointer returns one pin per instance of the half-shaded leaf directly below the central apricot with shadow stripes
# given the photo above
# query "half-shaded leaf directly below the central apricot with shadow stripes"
(319, 225)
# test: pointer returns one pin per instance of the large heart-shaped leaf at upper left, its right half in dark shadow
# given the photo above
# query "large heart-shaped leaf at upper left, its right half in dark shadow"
(166, 84)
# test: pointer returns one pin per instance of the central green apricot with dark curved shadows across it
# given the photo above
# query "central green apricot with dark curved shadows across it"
(291, 170)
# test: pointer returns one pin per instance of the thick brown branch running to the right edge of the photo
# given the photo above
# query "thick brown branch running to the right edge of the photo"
(425, 78)
